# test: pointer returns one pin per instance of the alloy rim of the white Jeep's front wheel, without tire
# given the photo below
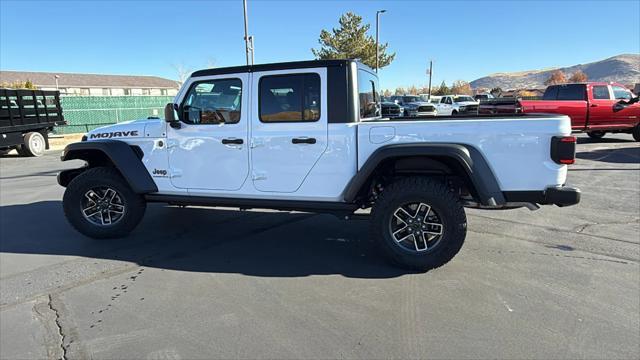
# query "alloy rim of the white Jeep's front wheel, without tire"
(102, 206)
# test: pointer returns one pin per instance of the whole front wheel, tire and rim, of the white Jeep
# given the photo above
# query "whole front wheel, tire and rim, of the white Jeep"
(100, 204)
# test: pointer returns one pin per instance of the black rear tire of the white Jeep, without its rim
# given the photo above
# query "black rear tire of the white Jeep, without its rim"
(422, 190)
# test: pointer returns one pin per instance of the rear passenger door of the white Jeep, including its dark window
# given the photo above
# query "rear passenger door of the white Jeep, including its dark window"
(288, 127)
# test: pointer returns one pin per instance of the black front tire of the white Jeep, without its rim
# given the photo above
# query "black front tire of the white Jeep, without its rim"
(102, 177)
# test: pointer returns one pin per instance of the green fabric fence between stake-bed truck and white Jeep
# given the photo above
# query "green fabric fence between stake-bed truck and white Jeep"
(84, 113)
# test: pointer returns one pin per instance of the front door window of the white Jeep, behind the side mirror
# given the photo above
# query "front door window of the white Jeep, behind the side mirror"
(213, 102)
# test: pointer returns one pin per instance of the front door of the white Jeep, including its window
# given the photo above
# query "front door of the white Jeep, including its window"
(209, 151)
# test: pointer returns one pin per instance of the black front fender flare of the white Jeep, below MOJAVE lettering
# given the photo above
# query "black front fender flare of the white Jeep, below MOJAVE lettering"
(118, 153)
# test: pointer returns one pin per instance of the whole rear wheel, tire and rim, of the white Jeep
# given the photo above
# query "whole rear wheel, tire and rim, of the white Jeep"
(418, 223)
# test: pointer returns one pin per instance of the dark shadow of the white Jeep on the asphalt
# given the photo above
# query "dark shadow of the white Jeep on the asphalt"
(270, 244)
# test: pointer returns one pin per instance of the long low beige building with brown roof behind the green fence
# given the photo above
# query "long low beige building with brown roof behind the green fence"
(94, 84)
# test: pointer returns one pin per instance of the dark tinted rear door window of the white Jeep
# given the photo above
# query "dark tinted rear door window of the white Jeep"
(289, 98)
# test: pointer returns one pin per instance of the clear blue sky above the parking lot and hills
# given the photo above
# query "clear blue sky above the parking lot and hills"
(465, 39)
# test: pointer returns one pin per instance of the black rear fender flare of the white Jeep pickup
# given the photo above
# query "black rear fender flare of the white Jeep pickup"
(469, 158)
